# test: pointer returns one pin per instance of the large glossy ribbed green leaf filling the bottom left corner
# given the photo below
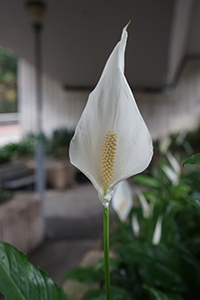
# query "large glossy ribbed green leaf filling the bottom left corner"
(21, 280)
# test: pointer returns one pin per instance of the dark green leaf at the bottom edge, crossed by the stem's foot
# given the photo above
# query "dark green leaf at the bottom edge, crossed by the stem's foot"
(100, 294)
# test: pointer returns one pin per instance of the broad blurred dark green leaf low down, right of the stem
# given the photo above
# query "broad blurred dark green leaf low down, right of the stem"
(158, 265)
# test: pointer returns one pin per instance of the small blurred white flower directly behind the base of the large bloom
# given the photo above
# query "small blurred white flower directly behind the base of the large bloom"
(122, 200)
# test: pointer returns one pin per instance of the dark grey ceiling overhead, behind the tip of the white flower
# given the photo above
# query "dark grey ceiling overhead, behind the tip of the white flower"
(78, 37)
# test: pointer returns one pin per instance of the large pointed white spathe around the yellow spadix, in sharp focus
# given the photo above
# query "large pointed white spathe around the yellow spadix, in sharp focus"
(111, 107)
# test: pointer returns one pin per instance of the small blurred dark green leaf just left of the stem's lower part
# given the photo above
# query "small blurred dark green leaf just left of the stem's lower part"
(87, 275)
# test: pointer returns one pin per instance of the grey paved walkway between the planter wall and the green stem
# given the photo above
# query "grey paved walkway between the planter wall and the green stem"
(74, 225)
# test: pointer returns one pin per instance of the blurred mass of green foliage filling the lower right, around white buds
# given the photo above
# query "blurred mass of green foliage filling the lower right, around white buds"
(169, 269)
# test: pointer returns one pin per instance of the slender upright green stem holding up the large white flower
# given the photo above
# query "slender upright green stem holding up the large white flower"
(106, 250)
